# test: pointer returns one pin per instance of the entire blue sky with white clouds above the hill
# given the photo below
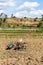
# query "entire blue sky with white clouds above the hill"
(22, 8)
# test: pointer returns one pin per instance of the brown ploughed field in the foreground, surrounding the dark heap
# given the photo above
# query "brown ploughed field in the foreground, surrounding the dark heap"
(32, 55)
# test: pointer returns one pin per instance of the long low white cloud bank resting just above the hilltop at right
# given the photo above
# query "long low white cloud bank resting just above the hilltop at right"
(32, 13)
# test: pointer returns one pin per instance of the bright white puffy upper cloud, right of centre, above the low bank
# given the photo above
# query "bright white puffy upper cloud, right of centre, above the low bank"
(28, 5)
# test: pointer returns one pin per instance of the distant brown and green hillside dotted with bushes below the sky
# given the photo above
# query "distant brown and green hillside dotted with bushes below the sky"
(18, 22)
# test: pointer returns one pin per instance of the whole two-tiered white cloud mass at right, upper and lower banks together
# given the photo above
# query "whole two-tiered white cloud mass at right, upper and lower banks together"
(29, 9)
